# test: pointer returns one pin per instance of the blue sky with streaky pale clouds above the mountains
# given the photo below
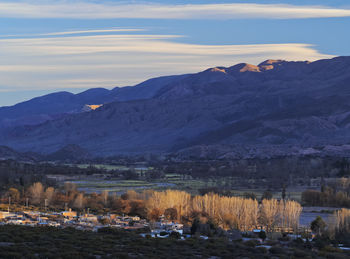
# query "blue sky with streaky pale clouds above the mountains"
(73, 45)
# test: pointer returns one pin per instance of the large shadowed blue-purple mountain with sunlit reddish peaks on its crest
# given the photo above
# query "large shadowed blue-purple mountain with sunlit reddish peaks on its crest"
(275, 107)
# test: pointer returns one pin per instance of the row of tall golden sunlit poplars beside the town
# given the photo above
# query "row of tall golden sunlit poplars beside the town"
(228, 212)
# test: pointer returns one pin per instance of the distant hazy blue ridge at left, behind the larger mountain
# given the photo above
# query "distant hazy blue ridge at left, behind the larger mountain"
(58, 105)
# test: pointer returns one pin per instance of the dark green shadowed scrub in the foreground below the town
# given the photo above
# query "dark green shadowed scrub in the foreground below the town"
(42, 242)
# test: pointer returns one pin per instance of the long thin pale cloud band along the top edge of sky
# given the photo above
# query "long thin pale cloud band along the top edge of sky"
(110, 10)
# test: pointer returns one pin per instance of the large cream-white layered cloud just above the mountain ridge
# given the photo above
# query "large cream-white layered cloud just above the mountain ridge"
(78, 61)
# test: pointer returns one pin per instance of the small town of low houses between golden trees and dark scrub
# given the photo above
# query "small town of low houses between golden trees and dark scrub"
(162, 228)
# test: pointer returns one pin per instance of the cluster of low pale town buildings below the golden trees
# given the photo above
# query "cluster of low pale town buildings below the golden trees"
(91, 222)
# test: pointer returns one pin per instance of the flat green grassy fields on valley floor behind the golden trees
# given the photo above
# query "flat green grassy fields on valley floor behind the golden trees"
(174, 181)
